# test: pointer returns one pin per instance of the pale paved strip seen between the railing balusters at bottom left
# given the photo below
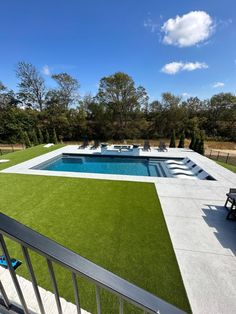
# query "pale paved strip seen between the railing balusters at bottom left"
(48, 297)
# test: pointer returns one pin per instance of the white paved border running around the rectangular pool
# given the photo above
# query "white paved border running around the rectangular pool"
(203, 162)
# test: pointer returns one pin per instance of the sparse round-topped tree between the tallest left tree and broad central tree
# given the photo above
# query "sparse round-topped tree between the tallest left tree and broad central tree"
(67, 91)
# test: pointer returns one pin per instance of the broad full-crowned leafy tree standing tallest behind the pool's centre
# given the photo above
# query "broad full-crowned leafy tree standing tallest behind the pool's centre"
(122, 102)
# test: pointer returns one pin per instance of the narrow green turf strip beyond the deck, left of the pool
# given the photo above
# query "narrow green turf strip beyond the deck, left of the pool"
(23, 155)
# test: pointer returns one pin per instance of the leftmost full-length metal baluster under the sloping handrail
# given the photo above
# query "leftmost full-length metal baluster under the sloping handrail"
(13, 275)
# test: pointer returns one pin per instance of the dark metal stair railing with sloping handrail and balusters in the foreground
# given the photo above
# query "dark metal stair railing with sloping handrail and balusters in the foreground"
(56, 253)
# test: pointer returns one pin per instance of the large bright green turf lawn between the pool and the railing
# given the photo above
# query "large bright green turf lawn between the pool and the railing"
(118, 225)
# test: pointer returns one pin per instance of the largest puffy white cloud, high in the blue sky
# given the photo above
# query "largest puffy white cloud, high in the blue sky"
(188, 30)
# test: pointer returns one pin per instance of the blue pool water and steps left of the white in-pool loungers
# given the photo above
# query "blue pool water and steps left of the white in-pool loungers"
(107, 165)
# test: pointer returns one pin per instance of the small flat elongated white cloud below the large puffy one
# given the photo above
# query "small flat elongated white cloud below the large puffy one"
(175, 67)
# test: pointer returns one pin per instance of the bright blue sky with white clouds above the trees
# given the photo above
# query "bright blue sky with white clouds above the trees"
(192, 54)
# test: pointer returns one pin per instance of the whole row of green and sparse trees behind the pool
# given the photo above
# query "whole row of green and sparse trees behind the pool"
(120, 110)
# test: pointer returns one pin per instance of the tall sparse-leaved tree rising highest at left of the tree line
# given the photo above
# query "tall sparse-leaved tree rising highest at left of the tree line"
(31, 86)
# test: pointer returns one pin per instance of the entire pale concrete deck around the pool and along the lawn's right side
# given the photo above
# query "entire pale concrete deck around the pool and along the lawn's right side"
(203, 240)
